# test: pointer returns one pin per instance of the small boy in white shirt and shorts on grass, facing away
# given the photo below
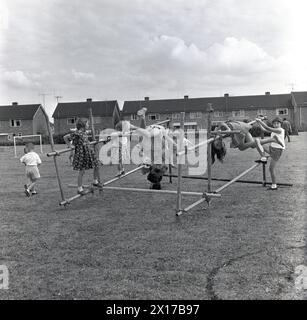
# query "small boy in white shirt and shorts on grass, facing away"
(31, 160)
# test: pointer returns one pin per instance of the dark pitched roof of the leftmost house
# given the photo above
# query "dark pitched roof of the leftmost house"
(18, 112)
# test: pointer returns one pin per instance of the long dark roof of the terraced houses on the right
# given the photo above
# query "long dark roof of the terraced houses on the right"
(229, 103)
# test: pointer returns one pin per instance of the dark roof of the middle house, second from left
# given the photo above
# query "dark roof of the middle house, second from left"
(81, 109)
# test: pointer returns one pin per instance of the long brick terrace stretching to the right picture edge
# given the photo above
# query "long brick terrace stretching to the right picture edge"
(225, 108)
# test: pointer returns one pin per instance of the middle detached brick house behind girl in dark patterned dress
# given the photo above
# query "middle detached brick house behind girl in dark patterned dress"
(66, 115)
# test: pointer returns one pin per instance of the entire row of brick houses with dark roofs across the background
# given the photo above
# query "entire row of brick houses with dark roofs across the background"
(17, 120)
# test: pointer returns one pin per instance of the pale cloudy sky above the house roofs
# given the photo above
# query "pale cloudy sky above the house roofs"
(128, 49)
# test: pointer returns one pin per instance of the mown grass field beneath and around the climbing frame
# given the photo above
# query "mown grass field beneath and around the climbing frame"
(121, 245)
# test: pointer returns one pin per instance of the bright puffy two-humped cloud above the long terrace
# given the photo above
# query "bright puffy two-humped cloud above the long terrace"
(235, 57)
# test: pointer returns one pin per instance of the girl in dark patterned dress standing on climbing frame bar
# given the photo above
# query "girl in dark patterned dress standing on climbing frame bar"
(84, 156)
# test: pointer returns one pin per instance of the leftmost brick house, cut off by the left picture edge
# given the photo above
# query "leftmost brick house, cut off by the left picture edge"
(21, 120)
